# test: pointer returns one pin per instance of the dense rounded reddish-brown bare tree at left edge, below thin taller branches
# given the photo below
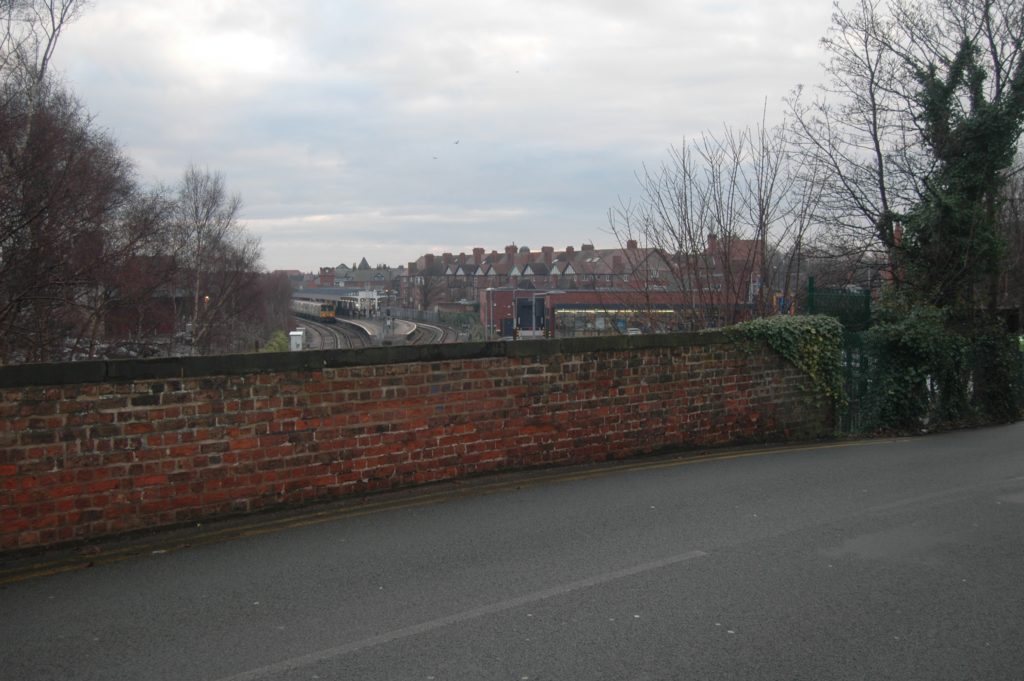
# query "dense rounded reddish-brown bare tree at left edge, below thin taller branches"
(64, 187)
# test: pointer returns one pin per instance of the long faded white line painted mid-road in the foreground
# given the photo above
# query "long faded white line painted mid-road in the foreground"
(457, 618)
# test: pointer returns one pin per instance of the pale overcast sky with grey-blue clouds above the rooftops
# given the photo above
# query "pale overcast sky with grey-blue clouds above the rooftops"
(388, 130)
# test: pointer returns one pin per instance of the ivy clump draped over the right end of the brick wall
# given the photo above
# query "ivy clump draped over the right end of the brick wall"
(813, 344)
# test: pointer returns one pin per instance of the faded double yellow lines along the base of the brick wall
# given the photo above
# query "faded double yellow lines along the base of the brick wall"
(315, 518)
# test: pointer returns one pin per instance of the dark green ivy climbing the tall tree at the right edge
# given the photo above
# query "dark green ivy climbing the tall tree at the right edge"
(952, 244)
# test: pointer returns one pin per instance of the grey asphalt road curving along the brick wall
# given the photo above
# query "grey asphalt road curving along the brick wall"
(900, 560)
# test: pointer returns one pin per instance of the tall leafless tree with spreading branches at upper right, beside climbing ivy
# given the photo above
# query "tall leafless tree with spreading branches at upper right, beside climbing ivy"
(868, 134)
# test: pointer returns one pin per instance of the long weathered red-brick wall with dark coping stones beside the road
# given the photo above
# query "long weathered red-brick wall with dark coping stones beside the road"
(97, 449)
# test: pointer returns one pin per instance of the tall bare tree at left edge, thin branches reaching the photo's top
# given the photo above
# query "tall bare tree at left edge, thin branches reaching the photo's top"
(60, 181)
